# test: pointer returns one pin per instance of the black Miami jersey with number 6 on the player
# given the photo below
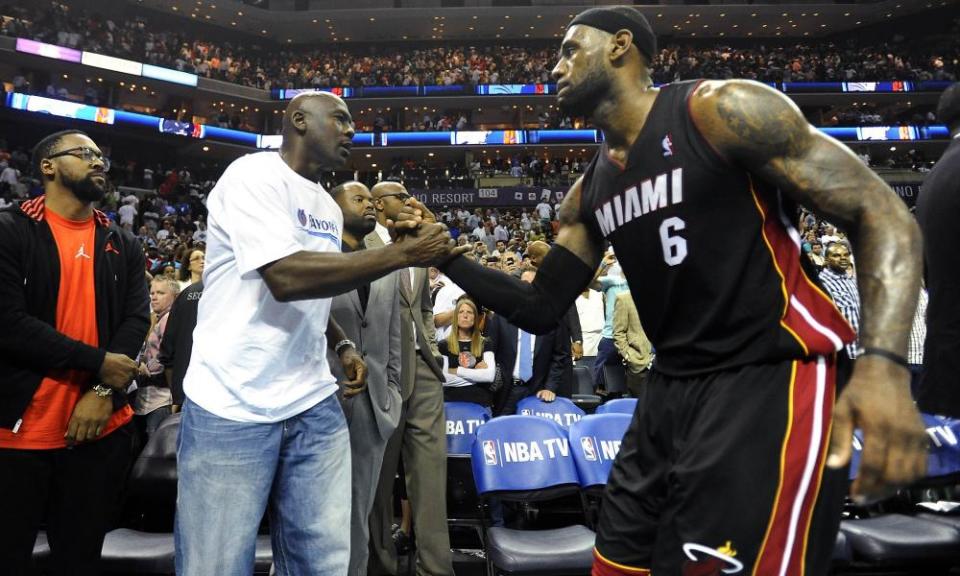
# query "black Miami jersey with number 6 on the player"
(711, 257)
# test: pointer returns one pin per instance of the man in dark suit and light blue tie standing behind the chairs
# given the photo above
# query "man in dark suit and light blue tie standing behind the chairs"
(530, 364)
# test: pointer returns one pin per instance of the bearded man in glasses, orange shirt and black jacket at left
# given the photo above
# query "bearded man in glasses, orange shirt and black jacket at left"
(75, 311)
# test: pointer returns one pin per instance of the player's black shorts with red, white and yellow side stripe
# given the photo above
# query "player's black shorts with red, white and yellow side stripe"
(725, 474)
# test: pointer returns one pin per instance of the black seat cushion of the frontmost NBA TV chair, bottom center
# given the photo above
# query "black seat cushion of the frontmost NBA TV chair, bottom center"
(555, 552)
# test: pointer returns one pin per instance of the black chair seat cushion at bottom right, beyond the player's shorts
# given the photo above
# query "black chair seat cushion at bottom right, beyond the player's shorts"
(897, 538)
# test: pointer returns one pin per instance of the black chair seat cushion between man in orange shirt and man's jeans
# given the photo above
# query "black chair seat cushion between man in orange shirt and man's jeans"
(126, 550)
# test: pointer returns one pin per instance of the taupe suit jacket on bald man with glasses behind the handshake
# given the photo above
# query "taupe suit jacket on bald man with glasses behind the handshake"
(415, 310)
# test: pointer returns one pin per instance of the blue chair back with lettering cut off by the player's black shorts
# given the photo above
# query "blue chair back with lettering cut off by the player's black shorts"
(595, 442)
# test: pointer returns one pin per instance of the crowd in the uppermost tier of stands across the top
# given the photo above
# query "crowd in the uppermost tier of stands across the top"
(256, 64)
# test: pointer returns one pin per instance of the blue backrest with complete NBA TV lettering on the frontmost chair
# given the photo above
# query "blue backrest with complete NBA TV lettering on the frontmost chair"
(522, 454)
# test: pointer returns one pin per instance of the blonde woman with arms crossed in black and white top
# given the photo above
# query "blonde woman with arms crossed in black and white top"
(468, 360)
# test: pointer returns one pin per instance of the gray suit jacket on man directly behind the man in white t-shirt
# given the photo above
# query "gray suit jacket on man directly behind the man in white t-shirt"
(377, 336)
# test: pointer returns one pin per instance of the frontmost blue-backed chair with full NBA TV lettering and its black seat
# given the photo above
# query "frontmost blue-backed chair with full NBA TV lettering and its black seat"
(527, 459)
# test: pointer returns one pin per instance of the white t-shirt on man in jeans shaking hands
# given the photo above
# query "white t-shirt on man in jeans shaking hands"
(256, 359)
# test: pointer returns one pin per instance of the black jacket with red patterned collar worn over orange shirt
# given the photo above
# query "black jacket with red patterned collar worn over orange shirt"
(30, 346)
